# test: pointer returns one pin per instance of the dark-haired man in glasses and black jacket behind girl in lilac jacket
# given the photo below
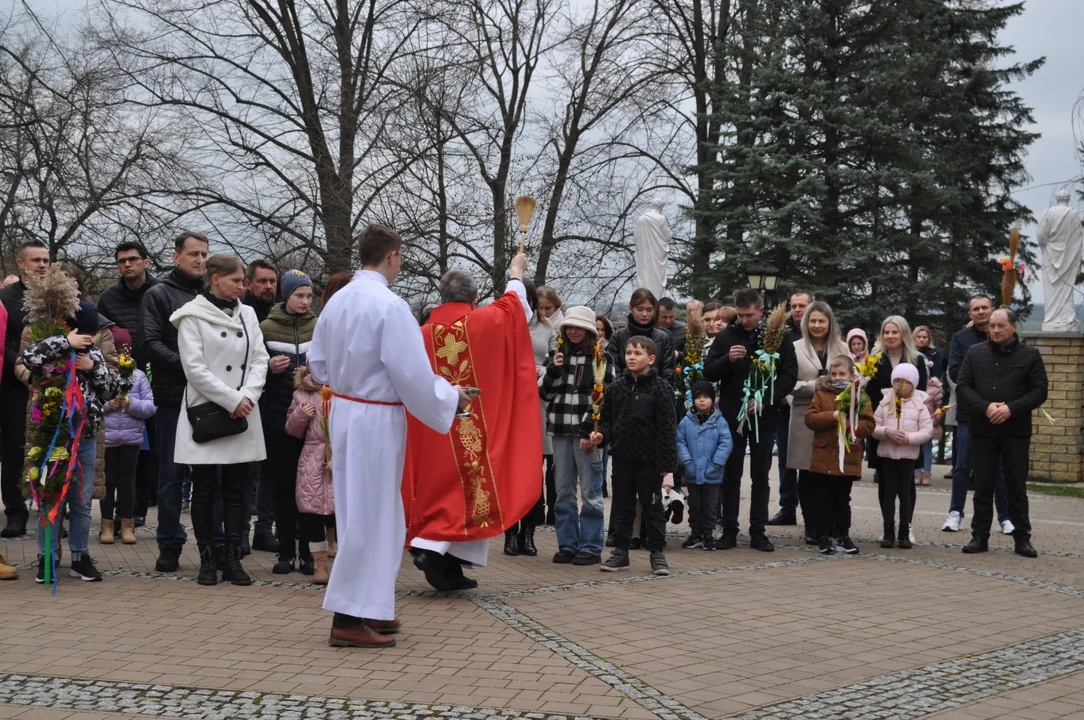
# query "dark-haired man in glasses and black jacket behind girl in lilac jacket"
(121, 303)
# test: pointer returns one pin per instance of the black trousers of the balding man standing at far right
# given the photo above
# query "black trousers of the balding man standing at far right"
(1011, 455)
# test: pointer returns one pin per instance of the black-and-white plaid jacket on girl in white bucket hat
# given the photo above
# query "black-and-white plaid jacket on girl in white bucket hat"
(569, 392)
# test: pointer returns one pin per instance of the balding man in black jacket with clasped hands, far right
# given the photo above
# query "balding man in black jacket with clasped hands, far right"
(1002, 382)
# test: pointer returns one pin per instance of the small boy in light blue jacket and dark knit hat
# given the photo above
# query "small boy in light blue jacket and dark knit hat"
(704, 446)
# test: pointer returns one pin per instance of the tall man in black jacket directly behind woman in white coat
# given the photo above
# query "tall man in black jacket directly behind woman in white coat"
(158, 348)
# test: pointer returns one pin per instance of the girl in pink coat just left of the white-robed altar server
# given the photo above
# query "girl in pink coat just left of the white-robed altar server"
(307, 419)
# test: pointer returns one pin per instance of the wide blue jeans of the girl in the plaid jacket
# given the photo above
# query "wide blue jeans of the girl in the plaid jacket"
(579, 528)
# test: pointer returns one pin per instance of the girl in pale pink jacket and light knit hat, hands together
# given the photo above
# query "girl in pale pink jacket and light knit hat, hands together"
(904, 426)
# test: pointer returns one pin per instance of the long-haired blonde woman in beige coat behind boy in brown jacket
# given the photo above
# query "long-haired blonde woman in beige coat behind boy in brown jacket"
(821, 344)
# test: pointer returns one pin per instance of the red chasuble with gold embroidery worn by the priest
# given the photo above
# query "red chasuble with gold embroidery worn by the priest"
(483, 478)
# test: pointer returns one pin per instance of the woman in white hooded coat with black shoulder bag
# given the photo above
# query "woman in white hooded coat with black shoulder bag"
(226, 364)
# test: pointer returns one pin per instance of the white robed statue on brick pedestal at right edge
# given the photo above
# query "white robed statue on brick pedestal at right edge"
(1061, 239)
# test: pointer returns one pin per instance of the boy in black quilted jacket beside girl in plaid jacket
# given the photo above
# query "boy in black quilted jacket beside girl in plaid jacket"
(639, 423)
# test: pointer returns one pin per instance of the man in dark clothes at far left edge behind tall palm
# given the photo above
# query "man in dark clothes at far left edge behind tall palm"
(33, 260)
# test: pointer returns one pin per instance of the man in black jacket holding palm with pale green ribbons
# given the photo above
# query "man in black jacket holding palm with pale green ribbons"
(729, 364)
